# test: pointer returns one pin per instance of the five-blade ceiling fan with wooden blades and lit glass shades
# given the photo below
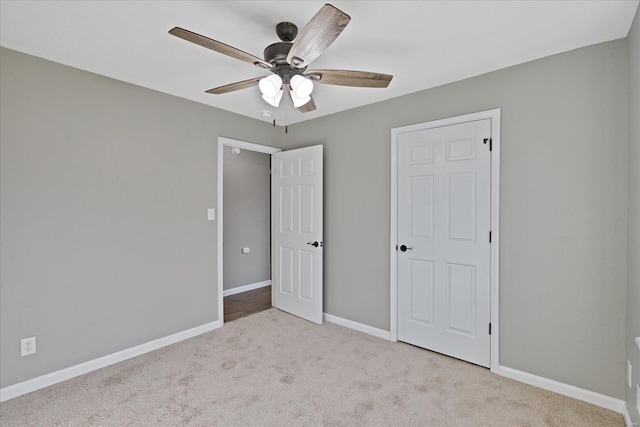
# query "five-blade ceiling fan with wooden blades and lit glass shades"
(288, 60)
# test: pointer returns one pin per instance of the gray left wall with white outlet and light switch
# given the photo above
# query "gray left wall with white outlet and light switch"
(104, 194)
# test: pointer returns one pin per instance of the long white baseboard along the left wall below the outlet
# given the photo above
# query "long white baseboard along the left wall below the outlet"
(46, 380)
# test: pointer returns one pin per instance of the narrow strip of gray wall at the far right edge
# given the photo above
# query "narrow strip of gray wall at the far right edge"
(633, 248)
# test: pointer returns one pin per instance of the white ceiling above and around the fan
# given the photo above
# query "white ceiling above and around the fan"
(421, 43)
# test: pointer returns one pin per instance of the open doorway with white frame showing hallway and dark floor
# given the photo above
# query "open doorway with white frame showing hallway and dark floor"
(244, 250)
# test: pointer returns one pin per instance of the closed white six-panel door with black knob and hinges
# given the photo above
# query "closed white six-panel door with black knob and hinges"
(444, 207)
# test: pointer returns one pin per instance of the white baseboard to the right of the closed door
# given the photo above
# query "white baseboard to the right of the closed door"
(588, 396)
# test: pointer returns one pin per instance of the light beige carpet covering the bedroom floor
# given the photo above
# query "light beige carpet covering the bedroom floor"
(274, 369)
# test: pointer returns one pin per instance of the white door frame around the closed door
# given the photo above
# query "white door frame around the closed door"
(494, 116)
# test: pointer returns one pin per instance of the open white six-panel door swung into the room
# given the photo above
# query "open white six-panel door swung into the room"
(297, 197)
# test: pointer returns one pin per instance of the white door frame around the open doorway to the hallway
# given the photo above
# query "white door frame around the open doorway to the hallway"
(222, 142)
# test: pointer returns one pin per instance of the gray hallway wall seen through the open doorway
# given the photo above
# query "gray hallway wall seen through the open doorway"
(247, 217)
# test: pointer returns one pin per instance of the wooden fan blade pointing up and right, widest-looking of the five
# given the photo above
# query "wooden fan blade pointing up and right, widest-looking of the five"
(317, 35)
